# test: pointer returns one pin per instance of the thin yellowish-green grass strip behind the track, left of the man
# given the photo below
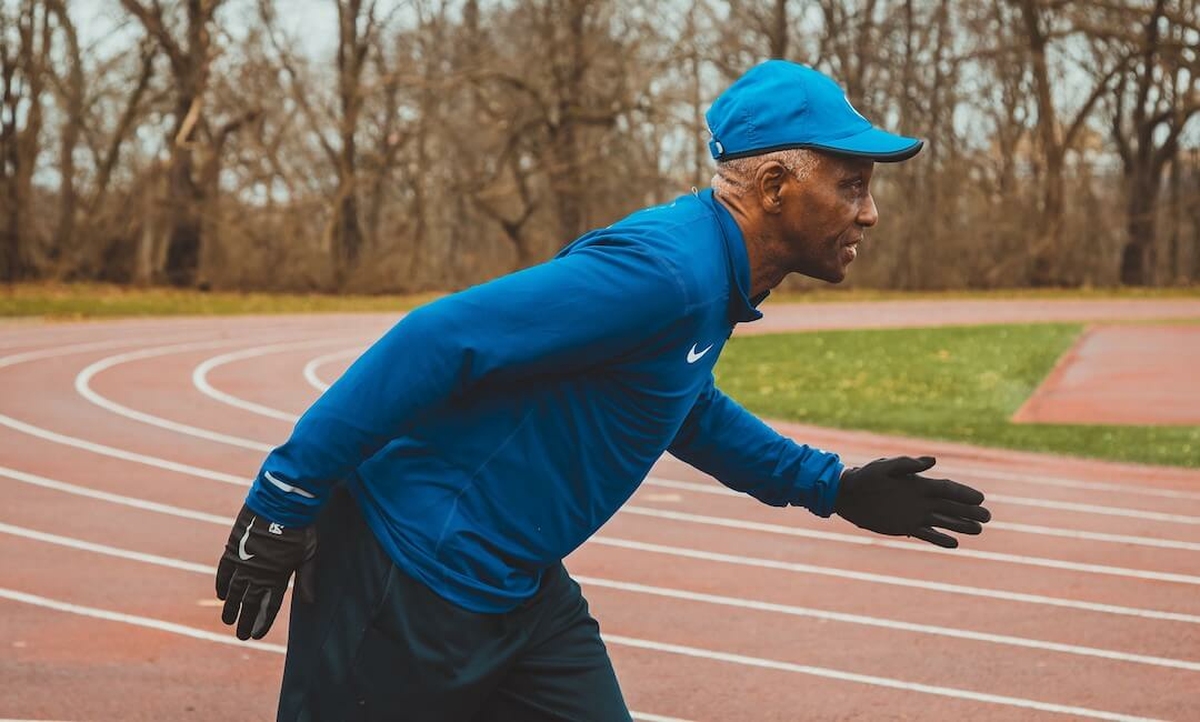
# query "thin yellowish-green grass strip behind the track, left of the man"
(92, 300)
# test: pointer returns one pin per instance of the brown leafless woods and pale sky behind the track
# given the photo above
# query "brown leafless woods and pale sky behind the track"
(398, 147)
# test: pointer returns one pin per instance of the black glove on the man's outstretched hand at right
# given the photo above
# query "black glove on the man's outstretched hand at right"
(891, 497)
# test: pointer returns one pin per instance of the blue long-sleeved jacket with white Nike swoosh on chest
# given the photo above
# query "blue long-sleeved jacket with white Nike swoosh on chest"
(490, 434)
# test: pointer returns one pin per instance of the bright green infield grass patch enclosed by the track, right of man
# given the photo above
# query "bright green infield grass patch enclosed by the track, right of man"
(961, 384)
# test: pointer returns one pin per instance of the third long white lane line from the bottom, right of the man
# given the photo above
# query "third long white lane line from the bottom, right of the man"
(874, 579)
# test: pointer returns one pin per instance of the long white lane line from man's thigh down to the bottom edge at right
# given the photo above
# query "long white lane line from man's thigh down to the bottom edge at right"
(867, 679)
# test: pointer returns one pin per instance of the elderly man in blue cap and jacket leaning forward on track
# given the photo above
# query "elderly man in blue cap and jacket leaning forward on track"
(490, 434)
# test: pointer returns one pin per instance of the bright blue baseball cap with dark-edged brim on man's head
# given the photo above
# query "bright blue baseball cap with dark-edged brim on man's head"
(781, 105)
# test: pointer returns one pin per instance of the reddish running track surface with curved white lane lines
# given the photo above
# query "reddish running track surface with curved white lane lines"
(1081, 601)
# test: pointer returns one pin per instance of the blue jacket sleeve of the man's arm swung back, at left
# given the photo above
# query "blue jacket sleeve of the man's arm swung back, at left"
(573, 314)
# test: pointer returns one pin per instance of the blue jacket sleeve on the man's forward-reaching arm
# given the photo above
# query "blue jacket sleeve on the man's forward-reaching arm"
(723, 440)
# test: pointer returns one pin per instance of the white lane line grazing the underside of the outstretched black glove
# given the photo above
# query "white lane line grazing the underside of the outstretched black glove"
(871, 541)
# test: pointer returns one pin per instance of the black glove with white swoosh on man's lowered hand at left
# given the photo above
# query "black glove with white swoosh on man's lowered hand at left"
(255, 570)
